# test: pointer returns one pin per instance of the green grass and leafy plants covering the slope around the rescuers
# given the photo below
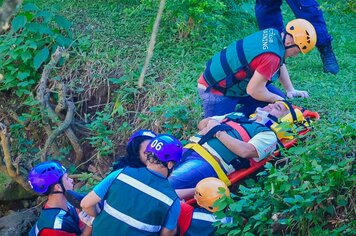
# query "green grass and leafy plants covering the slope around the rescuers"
(107, 42)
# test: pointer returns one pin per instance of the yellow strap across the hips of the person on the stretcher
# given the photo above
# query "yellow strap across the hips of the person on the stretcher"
(211, 160)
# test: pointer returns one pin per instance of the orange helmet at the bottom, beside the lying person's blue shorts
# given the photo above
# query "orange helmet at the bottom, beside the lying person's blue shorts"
(207, 192)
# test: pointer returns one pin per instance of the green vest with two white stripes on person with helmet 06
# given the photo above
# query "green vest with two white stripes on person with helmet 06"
(137, 203)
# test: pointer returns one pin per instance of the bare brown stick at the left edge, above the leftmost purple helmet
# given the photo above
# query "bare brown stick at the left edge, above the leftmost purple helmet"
(9, 168)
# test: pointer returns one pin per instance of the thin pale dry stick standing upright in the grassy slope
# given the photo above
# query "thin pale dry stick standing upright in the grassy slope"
(152, 43)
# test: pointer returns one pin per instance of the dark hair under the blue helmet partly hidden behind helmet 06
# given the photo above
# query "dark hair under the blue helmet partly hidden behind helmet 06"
(132, 158)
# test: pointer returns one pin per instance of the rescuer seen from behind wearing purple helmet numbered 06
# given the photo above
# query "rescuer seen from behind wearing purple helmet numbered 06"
(139, 201)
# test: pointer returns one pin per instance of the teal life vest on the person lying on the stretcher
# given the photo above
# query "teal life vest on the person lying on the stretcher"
(240, 128)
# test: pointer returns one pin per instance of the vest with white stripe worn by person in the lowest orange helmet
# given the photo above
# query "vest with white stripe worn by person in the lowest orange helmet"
(202, 223)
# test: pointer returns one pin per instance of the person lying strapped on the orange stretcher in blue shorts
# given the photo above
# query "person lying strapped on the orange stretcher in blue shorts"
(232, 140)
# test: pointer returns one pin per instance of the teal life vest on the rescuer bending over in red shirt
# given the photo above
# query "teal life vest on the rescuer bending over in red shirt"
(237, 56)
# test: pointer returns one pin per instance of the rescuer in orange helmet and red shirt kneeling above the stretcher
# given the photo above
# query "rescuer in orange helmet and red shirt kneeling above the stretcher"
(243, 72)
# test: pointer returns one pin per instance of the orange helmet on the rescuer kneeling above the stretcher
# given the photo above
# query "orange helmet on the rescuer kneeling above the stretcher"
(303, 33)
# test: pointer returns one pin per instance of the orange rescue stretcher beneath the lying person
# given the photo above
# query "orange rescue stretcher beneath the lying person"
(255, 166)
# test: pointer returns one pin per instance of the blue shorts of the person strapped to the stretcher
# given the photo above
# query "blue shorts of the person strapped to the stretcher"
(188, 172)
